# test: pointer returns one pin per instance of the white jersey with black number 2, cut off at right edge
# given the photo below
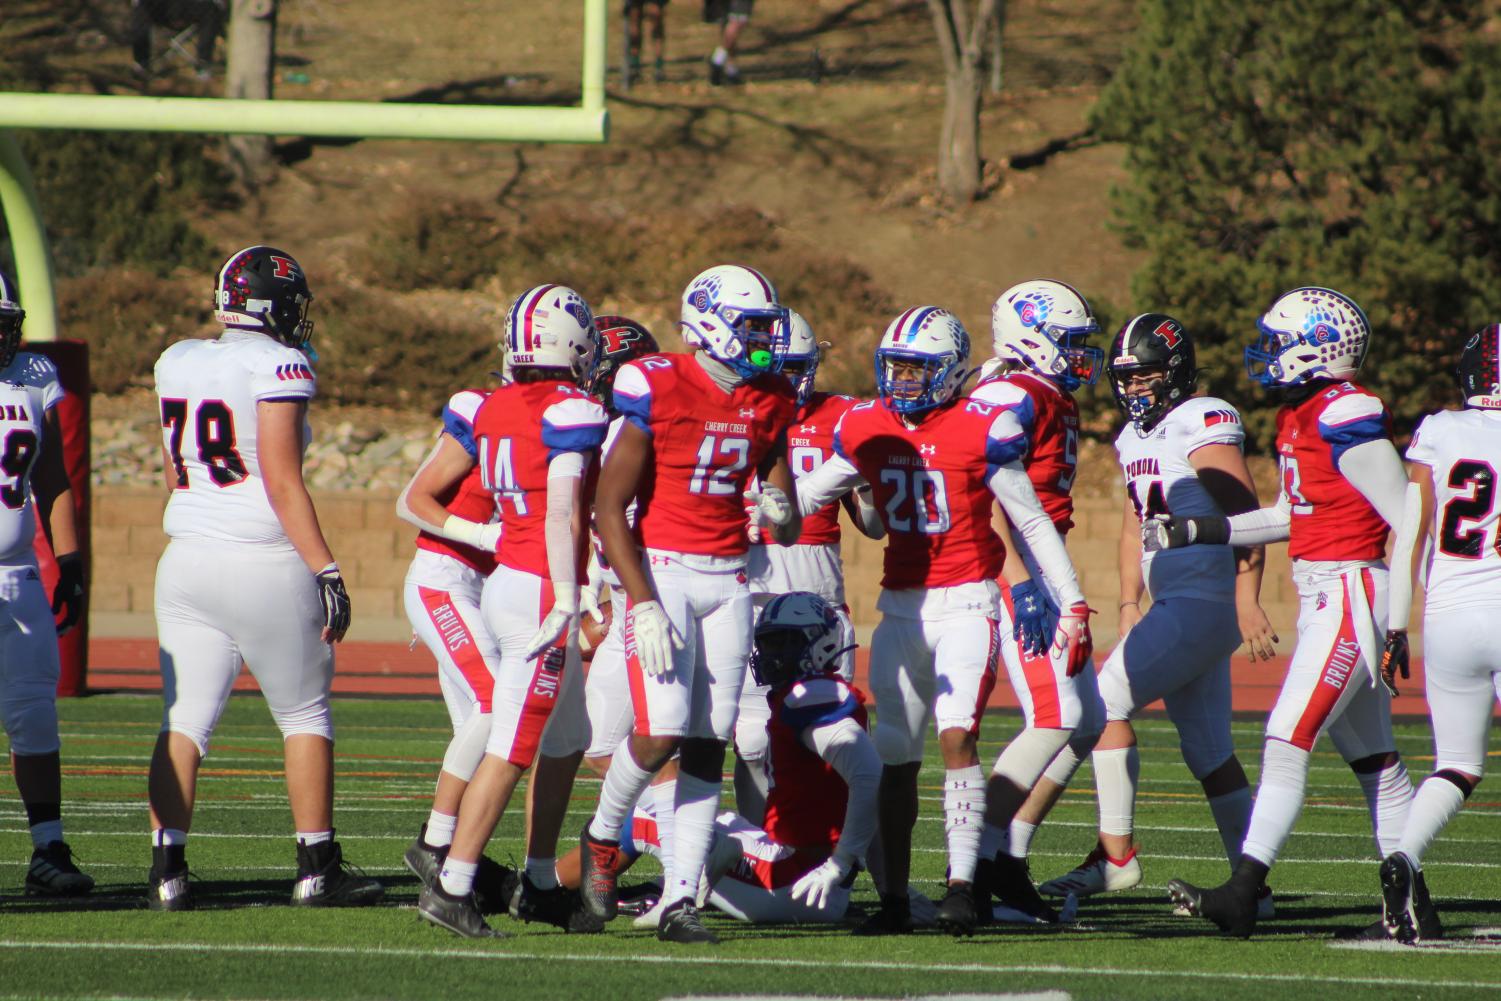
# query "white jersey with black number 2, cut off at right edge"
(1463, 448)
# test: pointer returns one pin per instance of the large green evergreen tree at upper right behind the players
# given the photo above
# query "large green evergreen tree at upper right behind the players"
(1343, 143)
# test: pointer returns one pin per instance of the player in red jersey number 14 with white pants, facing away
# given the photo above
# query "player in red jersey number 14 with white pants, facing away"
(537, 440)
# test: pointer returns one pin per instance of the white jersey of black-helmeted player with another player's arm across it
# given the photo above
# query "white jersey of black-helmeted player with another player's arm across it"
(1163, 481)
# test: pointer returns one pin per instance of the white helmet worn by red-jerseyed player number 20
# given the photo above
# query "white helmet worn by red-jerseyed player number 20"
(933, 338)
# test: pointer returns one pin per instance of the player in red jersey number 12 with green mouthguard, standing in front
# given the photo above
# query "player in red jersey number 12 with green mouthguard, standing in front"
(697, 428)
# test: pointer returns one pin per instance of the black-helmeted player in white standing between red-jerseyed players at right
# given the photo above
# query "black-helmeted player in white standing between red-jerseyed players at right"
(1181, 454)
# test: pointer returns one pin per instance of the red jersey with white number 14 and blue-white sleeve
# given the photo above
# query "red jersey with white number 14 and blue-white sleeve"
(519, 433)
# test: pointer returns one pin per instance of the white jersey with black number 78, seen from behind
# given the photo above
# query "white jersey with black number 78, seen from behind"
(209, 391)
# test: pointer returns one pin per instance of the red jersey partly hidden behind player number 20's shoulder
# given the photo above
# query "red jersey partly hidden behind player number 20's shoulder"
(1050, 418)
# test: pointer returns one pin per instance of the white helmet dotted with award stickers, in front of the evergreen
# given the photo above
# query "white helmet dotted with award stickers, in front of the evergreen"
(1310, 334)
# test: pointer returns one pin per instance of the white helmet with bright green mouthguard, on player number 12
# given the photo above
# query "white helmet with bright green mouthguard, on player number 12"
(732, 313)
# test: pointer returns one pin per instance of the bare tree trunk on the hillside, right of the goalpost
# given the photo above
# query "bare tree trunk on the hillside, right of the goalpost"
(963, 28)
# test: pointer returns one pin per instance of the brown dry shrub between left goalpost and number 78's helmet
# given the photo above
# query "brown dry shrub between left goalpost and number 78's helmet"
(128, 317)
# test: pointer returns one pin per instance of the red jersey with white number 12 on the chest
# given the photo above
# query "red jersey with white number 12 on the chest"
(706, 445)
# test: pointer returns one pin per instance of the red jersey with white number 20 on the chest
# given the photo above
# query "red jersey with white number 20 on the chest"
(933, 487)
